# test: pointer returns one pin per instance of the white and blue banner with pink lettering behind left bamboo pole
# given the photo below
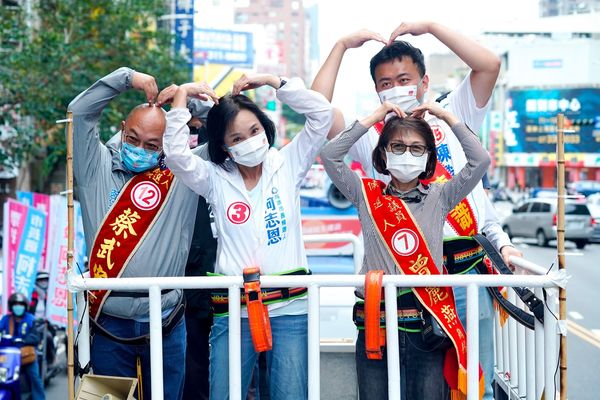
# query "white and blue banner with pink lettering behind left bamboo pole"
(56, 303)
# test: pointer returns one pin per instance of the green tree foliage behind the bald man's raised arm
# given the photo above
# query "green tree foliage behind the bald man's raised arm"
(64, 46)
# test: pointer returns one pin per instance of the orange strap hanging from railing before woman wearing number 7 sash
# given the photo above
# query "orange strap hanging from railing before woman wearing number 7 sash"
(374, 334)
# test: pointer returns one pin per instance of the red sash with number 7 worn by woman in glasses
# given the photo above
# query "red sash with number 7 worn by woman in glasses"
(406, 244)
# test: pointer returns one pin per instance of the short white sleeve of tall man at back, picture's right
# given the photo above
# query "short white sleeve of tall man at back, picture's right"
(461, 102)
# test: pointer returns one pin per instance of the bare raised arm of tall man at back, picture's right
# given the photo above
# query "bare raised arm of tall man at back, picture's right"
(484, 64)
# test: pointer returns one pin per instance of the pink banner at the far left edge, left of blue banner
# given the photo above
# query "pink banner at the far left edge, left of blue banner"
(15, 217)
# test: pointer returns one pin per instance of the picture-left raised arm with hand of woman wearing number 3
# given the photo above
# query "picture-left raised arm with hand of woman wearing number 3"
(193, 171)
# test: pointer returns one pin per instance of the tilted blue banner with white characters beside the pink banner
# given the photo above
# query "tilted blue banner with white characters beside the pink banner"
(29, 253)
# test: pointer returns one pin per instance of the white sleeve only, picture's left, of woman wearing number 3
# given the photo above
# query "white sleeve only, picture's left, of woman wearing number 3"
(193, 171)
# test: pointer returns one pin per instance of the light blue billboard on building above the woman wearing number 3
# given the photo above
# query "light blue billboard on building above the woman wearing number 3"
(223, 47)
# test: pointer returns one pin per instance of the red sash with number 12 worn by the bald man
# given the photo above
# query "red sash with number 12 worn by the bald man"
(126, 224)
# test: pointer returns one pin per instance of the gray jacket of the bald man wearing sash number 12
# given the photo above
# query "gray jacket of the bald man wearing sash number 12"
(99, 177)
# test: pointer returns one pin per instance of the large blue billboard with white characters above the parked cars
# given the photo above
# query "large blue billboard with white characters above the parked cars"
(530, 125)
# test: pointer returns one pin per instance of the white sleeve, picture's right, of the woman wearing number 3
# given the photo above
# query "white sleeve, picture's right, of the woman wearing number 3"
(302, 151)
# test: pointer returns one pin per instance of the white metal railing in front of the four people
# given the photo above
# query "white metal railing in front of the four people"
(546, 361)
